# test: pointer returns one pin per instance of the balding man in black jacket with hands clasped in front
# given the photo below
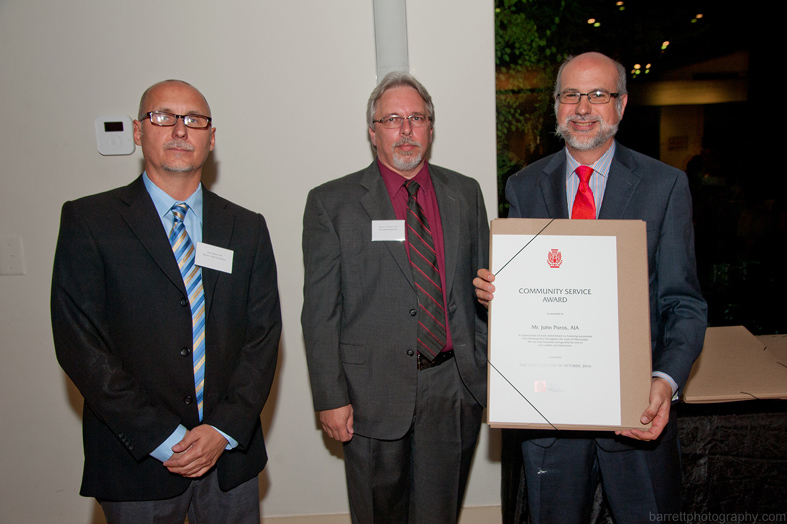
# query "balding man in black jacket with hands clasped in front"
(165, 314)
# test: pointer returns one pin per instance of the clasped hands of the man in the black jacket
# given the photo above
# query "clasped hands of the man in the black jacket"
(197, 452)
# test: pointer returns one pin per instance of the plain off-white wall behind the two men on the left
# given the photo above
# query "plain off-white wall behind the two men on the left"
(287, 82)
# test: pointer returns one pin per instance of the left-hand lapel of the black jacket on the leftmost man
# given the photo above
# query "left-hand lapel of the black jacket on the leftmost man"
(141, 216)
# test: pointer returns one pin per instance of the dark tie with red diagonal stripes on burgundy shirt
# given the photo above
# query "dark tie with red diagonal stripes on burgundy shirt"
(423, 260)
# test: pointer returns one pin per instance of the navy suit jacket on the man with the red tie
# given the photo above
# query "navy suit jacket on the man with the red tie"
(639, 188)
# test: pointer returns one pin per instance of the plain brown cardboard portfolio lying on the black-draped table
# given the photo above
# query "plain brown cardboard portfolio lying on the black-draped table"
(735, 365)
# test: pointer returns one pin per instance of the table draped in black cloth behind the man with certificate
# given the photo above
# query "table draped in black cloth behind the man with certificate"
(734, 461)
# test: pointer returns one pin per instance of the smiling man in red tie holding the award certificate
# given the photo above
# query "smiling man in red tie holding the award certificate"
(596, 177)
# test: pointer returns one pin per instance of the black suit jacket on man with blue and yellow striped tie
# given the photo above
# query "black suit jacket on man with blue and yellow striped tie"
(122, 331)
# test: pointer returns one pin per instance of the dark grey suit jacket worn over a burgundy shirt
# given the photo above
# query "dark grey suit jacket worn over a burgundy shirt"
(359, 314)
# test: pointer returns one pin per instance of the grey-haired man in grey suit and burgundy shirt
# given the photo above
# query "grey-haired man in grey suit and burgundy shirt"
(395, 342)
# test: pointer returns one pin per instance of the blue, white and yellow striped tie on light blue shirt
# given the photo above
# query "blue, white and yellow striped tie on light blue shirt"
(192, 278)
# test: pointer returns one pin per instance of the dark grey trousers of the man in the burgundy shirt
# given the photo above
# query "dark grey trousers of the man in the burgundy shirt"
(421, 477)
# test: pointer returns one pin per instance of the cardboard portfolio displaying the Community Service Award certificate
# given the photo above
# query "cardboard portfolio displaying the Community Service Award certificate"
(569, 327)
